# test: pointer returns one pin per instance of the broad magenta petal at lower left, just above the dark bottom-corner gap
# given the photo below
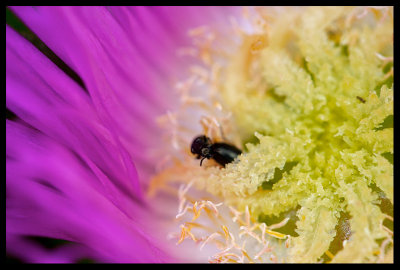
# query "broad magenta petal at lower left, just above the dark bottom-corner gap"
(56, 196)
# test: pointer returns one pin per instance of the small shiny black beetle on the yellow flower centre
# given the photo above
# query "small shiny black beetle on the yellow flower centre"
(222, 153)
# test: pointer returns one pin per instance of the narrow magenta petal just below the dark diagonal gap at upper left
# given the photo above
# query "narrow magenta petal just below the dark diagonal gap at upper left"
(37, 95)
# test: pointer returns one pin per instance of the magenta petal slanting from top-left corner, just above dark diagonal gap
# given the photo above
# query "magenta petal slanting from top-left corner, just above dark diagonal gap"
(127, 90)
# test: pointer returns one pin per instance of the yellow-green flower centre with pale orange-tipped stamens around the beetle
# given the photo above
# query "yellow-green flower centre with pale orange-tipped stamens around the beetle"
(308, 97)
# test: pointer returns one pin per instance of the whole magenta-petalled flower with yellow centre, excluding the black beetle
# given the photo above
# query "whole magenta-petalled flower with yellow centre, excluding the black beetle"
(307, 93)
